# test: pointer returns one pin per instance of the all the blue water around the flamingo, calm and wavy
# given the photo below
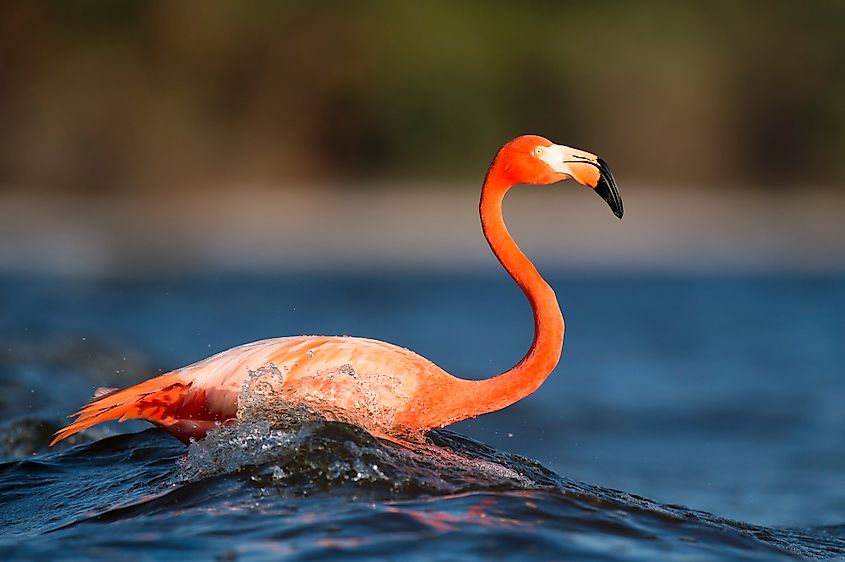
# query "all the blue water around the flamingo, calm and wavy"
(718, 398)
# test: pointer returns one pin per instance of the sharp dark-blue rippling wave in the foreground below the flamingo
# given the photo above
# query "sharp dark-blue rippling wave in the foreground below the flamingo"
(281, 482)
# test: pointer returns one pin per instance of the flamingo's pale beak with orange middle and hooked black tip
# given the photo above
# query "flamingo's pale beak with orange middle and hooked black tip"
(587, 169)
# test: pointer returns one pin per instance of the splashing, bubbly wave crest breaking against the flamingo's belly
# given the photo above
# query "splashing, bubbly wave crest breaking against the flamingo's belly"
(292, 447)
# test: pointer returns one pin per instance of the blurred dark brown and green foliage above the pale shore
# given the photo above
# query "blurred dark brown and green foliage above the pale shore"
(139, 95)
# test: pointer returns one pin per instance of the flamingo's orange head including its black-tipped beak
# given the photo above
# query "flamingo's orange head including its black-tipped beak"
(531, 159)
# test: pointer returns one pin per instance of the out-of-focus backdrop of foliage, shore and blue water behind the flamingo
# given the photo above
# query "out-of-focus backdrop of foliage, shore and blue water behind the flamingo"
(177, 178)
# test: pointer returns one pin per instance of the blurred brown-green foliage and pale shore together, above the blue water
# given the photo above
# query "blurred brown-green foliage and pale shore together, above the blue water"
(129, 127)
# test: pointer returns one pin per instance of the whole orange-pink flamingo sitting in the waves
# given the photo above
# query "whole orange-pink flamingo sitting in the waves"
(388, 390)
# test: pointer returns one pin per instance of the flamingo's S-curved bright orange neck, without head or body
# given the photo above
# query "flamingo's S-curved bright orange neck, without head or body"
(523, 379)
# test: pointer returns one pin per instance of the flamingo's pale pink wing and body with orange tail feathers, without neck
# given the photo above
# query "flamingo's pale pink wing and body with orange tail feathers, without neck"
(337, 376)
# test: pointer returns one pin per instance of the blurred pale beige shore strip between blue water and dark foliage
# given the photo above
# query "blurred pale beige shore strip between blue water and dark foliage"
(428, 228)
